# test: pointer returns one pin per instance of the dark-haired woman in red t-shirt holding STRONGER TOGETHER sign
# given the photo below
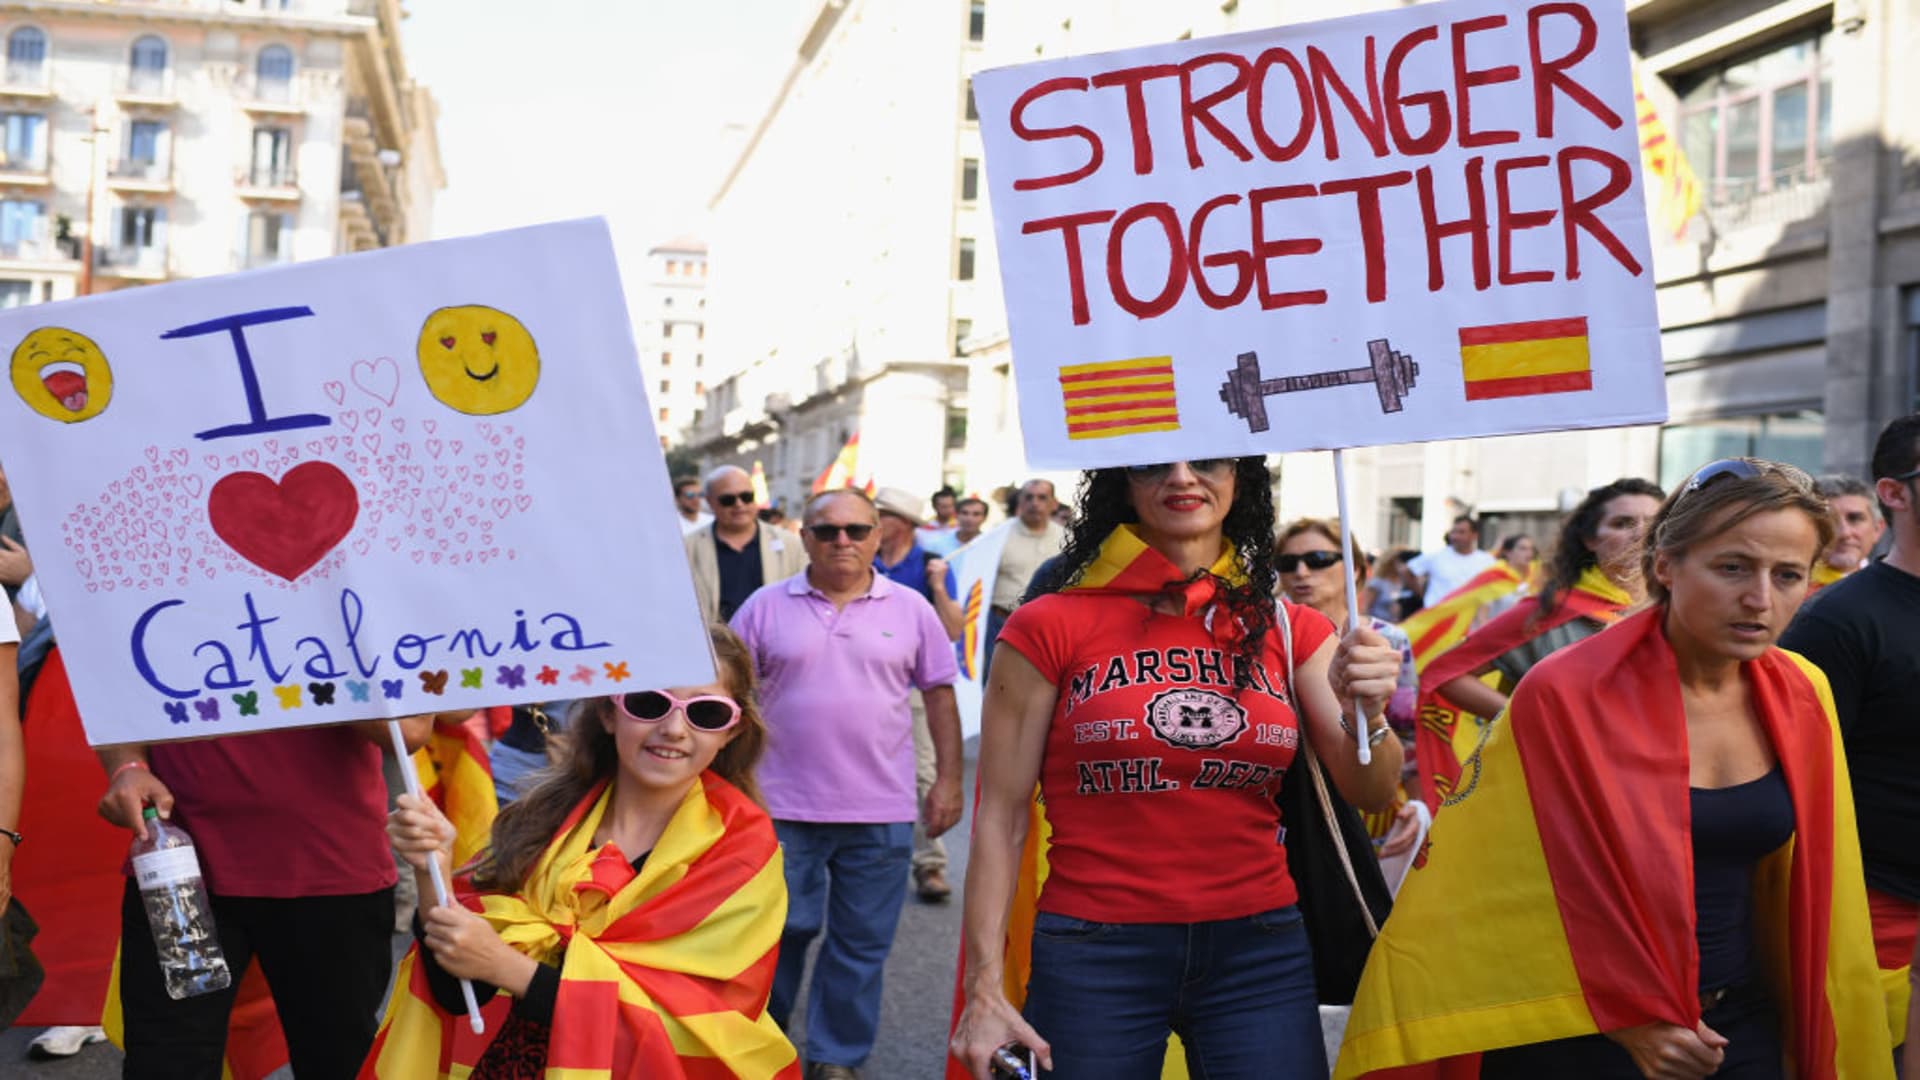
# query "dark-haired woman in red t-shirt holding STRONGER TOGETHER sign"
(1147, 693)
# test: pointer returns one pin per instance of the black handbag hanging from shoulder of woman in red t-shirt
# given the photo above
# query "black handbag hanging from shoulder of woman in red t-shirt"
(1343, 893)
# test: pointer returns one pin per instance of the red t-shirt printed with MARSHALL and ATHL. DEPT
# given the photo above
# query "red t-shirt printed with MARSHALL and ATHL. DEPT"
(1159, 775)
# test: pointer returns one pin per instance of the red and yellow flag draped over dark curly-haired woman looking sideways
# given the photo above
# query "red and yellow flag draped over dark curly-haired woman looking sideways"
(1445, 735)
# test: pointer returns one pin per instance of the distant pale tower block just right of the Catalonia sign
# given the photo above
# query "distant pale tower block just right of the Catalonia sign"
(671, 330)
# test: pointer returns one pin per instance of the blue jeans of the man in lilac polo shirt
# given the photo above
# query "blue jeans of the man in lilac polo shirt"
(867, 868)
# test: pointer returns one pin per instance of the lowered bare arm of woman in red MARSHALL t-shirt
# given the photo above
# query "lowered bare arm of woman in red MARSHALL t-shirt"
(1015, 724)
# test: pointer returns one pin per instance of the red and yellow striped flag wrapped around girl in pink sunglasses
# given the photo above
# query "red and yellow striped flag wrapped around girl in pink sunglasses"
(665, 971)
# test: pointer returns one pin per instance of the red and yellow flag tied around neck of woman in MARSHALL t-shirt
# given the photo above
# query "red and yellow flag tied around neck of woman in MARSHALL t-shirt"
(1126, 566)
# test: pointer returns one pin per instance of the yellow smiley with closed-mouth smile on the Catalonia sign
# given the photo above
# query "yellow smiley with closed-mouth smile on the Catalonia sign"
(479, 360)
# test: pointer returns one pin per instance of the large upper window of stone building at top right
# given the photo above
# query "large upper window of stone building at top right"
(1760, 124)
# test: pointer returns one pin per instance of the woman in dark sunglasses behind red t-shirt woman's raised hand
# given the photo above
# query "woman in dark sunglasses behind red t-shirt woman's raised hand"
(1310, 570)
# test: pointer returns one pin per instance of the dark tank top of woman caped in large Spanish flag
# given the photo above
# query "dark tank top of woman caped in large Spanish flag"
(1733, 831)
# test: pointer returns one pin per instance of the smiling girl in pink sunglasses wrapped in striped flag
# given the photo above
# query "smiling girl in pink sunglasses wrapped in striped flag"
(635, 887)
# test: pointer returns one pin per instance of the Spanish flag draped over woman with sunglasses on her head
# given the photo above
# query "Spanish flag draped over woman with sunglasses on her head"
(1572, 847)
